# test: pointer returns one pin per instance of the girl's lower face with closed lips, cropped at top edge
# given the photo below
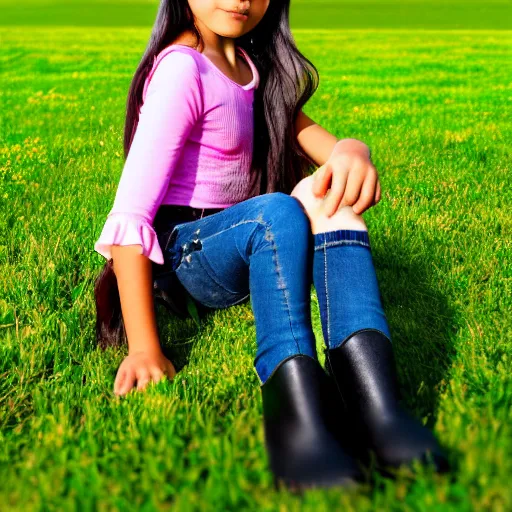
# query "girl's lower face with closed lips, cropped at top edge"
(216, 16)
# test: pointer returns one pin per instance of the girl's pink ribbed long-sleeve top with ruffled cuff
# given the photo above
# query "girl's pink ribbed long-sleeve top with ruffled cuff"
(193, 146)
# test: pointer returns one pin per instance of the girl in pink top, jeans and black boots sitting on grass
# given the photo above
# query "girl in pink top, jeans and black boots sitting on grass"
(216, 201)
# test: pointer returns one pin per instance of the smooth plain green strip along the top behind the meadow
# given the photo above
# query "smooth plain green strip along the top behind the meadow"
(421, 14)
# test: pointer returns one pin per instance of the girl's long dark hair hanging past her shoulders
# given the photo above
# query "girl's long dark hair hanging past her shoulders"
(287, 81)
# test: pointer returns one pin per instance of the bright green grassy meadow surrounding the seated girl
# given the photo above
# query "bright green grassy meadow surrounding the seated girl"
(431, 95)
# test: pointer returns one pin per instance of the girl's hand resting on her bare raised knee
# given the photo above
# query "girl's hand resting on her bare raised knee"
(352, 179)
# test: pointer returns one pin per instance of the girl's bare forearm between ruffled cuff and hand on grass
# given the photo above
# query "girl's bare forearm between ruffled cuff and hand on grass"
(135, 282)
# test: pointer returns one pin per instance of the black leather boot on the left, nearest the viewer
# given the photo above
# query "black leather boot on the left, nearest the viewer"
(300, 430)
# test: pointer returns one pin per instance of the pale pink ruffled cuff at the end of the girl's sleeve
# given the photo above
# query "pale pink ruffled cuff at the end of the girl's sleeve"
(129, 229)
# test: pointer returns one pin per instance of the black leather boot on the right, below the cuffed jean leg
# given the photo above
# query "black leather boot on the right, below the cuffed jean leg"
(364, 370)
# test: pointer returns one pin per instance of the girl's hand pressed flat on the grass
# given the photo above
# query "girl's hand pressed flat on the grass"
(142, 367)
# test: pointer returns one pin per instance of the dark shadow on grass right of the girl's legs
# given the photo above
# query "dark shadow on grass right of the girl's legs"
(422, 322)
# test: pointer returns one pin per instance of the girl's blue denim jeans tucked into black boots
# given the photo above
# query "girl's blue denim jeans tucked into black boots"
(263, 249)
